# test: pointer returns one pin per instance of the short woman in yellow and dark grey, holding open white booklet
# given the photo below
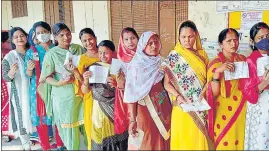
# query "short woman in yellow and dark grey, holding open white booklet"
(103, 136)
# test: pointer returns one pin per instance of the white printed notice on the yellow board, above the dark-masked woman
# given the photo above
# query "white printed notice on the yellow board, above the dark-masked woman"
(248, 19)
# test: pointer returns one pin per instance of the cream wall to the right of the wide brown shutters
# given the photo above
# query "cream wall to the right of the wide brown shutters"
(210, 24)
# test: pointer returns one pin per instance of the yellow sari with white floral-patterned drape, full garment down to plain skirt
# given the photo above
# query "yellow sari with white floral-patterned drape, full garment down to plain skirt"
(188, 129)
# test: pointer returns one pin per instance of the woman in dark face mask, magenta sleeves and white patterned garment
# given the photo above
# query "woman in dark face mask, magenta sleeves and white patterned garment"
(256, 90)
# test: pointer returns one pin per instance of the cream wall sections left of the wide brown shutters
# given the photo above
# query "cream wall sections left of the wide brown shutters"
(93, 14)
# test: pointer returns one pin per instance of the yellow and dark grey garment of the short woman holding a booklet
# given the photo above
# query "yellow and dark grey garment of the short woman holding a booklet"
(103, 136)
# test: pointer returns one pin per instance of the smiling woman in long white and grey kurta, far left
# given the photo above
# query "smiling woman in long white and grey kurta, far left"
(18, 85)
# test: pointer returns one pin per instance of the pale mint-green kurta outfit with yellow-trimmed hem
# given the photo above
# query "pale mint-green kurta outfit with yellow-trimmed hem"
(61, 102)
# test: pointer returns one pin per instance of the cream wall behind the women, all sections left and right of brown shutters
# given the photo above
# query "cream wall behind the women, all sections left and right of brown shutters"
(95, 14)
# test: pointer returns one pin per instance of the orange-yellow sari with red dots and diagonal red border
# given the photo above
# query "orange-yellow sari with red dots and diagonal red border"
(228, 114)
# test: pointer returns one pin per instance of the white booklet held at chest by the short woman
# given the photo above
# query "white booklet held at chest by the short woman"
(99, 74)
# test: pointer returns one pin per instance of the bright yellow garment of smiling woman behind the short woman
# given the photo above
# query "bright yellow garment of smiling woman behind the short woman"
(84, 62)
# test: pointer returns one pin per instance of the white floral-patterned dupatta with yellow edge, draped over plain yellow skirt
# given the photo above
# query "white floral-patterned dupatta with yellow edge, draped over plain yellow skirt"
(187, 72)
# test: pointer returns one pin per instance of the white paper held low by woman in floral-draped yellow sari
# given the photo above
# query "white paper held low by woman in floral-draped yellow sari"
(196, 106)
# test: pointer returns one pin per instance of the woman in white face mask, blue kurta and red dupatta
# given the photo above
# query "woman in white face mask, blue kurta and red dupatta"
(32, 68)
